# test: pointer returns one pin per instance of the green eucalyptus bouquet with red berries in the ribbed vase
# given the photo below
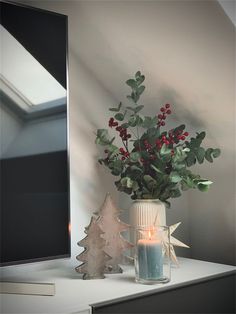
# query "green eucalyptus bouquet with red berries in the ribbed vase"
(152, 163)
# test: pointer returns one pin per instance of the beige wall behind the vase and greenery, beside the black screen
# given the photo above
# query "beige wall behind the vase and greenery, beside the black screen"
(187, 51)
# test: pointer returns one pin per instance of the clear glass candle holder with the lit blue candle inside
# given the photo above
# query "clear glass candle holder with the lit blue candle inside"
(152, 255)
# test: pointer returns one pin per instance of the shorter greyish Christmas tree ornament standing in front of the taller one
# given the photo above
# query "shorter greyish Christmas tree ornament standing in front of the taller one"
(93, 257)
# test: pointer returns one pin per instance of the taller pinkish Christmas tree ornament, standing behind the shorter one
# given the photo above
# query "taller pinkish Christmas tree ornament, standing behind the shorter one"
(115, 244)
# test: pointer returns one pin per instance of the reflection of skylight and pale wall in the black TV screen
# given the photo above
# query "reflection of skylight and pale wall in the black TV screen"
(30, 92)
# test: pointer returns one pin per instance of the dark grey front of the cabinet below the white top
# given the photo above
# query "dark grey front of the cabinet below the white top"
(212, 296)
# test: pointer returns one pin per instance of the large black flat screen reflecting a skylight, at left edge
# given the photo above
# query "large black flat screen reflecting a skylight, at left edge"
(33, 124)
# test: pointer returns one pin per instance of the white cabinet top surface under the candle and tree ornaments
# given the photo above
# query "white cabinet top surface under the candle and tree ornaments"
(74, 295)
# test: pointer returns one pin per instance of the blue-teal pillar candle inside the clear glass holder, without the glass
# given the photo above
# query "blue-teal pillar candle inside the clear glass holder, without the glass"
(150, 259)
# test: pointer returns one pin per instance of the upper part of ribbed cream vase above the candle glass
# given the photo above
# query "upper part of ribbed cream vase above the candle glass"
(147, 213)
